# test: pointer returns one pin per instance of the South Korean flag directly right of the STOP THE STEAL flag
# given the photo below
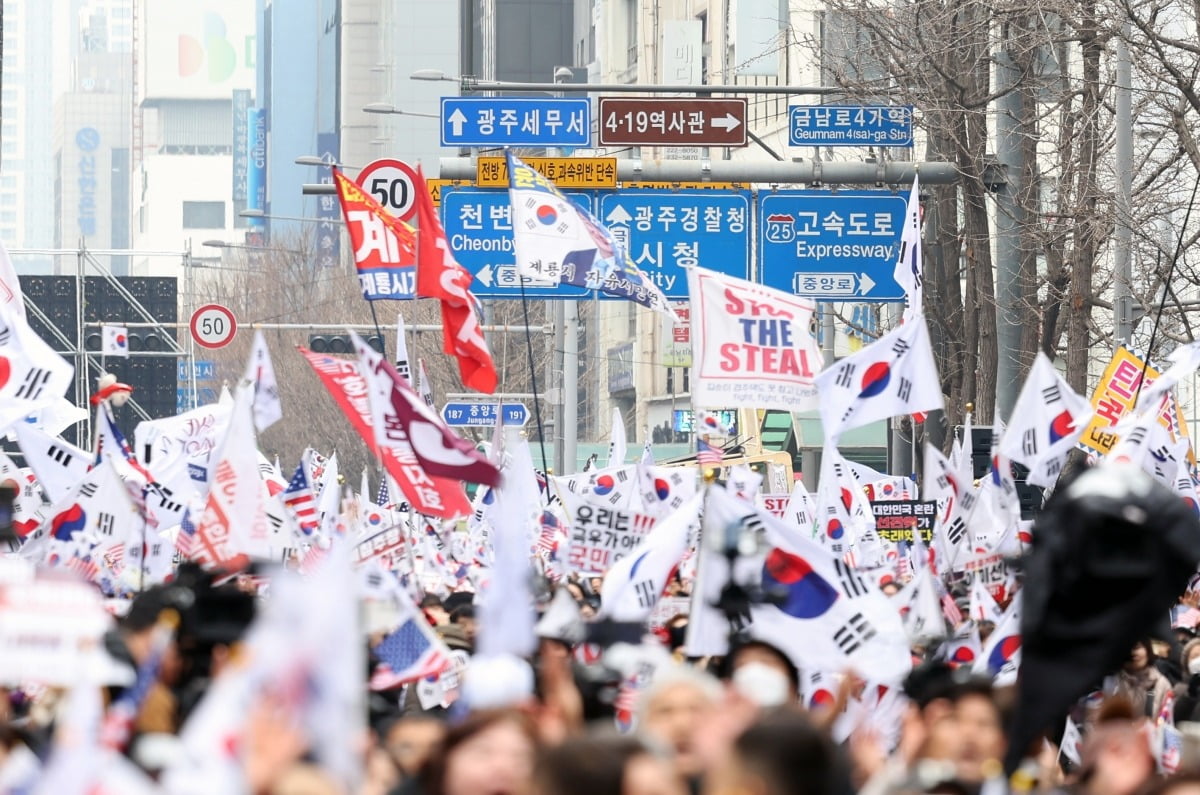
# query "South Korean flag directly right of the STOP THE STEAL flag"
(895, 375)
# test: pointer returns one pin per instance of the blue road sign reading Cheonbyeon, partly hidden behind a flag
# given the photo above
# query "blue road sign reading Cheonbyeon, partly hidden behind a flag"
(479, 228)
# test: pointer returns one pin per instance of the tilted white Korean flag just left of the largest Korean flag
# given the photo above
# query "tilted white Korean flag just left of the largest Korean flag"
(634, 585)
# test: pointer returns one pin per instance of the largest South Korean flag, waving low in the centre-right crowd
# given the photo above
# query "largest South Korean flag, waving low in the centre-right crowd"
(829, 617)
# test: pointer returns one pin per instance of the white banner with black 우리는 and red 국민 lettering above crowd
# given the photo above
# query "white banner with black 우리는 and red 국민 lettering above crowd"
(601, 535)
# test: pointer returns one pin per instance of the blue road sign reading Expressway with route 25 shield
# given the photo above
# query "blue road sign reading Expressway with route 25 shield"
(831, 247)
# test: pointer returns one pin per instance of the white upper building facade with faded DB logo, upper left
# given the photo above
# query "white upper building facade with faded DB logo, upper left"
(202, 50)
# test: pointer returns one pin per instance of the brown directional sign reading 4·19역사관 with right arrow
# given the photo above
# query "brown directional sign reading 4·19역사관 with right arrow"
(673, 122)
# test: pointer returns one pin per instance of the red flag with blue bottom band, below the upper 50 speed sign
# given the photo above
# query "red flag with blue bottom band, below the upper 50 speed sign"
(385, 248)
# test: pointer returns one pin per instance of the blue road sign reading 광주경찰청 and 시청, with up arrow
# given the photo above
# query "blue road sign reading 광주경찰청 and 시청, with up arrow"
(669, 231)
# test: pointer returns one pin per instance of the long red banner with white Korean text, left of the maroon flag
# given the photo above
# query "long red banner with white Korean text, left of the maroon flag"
(428, 495)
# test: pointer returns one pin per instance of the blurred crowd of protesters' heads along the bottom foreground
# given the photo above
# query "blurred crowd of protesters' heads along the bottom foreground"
(730, 726)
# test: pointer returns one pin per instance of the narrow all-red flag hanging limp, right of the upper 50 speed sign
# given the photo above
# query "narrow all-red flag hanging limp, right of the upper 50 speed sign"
(439, 276)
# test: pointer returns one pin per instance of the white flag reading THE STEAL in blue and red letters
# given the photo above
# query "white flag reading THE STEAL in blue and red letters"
(753, 346)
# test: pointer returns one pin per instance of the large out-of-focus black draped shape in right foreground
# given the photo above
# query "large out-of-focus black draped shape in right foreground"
(1112, 553)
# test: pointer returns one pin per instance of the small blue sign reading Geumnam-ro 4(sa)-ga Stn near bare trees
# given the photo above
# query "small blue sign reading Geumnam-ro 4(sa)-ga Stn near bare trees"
(850, 125)
